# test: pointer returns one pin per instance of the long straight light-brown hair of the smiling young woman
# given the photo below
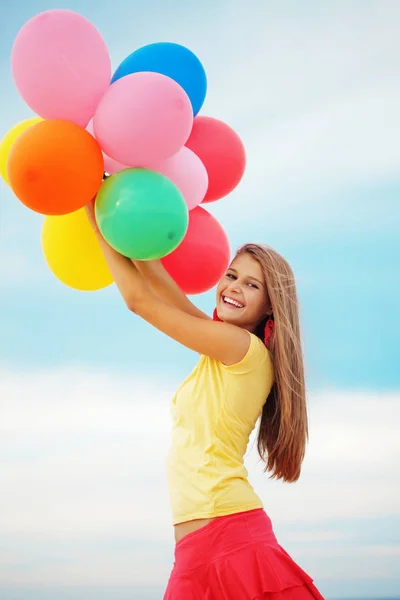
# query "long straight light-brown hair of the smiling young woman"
(283, 431)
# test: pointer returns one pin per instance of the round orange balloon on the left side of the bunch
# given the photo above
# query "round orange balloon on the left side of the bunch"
(55, 167)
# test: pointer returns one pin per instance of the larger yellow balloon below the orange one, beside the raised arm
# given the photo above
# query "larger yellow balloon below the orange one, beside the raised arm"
(73, 253)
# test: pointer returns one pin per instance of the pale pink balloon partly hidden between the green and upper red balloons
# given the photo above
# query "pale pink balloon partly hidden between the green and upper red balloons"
(186, 170)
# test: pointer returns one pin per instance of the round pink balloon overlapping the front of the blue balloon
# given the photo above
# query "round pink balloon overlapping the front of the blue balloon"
(144, 117)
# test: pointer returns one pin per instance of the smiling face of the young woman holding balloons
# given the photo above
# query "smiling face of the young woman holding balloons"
(242, 297)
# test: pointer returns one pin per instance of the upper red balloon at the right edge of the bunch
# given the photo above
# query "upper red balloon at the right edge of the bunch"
(222, 153)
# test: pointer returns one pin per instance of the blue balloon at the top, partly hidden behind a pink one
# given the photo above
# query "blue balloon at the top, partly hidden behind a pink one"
(172, 60)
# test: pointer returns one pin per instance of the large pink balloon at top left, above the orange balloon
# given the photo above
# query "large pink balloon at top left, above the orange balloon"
(61, 66)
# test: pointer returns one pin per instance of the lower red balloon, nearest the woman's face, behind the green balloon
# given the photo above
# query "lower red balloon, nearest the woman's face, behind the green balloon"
(199, 262)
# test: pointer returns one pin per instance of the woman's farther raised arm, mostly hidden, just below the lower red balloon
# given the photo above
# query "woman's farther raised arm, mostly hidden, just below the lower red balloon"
(164, 286)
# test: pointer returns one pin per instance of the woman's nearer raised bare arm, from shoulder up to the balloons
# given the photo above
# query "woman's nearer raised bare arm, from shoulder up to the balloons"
(221, 341)
